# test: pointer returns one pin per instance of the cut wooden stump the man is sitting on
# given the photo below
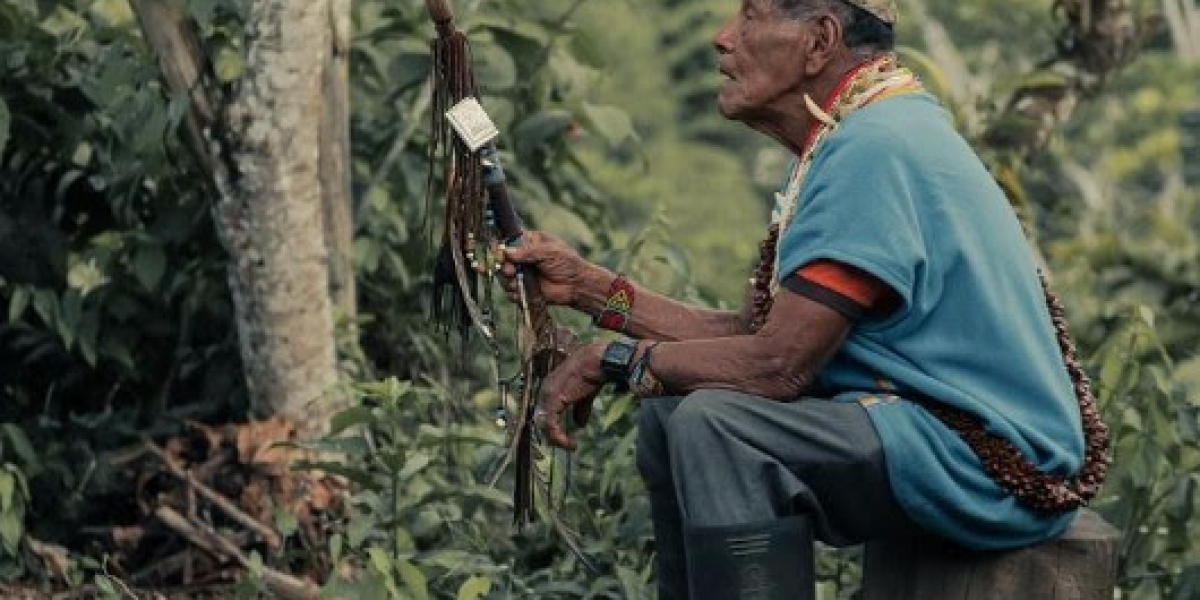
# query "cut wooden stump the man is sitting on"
(1079, 566)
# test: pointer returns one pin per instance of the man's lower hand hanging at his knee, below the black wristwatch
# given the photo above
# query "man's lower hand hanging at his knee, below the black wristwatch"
(575, 385)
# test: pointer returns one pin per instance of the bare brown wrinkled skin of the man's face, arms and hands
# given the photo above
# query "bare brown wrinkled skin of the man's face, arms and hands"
(772, 63)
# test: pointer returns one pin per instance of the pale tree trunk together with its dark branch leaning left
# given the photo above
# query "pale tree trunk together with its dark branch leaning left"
(279, 185)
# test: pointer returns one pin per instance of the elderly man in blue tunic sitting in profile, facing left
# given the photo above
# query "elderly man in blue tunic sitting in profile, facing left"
(896, 369)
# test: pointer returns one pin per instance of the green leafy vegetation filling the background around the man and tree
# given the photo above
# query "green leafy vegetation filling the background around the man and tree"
(117, 325)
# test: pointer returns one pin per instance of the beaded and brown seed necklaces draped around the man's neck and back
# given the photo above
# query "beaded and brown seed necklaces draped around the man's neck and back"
(874, 81)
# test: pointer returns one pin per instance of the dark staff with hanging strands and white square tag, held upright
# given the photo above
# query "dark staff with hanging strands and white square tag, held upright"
(479, 213)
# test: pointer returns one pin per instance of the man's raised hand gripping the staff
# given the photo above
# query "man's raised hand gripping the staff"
(562, 273)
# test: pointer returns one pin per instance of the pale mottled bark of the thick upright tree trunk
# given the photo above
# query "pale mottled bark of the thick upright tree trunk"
(271, 214)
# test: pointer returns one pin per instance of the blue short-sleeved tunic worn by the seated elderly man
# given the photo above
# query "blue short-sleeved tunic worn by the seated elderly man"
(897, 193)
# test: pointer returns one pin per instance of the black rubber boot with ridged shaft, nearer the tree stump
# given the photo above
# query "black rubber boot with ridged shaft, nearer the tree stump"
(770, 561)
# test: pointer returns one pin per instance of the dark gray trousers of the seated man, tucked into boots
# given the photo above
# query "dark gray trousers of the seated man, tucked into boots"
(718, 459)
